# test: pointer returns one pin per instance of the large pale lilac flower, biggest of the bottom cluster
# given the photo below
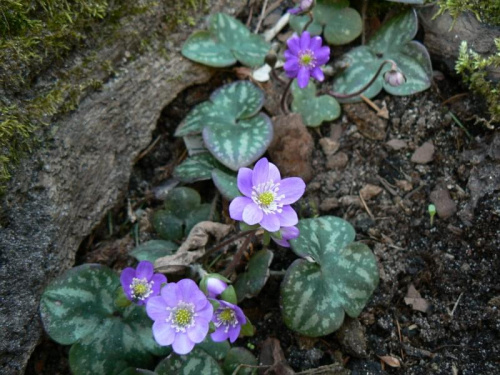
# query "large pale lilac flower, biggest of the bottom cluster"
(182, 315)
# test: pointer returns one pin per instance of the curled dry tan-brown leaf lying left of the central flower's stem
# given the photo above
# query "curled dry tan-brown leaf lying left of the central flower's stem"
(193, 247)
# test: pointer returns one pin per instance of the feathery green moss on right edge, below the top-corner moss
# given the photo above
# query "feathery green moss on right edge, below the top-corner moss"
(474, 70)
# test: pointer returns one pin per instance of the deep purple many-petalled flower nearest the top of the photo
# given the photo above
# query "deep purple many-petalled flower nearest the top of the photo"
(304, 57)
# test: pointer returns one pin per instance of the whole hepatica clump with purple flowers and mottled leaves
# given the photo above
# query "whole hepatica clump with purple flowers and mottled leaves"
(137, 320)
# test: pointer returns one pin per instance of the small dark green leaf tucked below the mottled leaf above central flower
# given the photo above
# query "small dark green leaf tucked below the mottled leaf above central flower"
(198, 167)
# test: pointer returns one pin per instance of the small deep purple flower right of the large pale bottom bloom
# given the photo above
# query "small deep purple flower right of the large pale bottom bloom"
(228, 320)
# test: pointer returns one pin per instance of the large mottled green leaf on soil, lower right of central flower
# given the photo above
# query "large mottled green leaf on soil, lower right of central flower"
(335, 277)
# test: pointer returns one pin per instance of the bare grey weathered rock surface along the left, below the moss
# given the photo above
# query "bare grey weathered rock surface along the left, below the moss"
(62, 191)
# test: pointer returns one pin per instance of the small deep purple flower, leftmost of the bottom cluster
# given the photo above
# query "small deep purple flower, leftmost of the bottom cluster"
(141, 284)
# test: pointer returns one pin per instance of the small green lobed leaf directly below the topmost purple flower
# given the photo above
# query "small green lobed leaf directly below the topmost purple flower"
(314, 110)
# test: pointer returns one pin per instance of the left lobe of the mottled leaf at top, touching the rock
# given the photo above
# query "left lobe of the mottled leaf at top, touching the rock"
(203, 48)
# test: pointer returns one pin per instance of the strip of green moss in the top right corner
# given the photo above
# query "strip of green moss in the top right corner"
(487, 11)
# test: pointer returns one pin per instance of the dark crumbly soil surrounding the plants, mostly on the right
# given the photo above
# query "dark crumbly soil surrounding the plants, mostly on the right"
(453, 263)
